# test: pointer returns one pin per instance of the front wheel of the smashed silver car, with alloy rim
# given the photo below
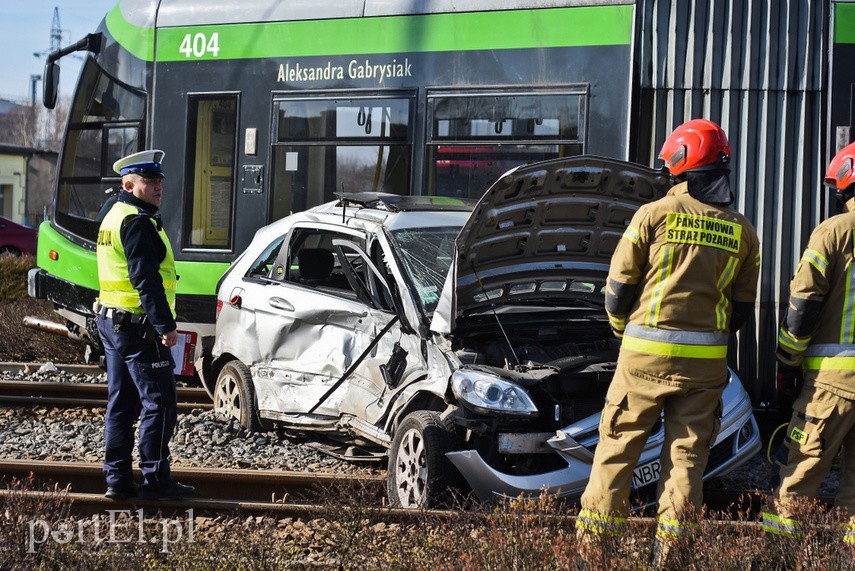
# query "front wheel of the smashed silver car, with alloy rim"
(419, 475)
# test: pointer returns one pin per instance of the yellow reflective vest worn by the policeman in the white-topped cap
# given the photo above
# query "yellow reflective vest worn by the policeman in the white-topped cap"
(116, 289)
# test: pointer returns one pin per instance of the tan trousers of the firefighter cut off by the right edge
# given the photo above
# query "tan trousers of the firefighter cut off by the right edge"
(821, 423)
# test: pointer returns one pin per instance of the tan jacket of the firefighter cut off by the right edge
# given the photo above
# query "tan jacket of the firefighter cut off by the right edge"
(818, 330)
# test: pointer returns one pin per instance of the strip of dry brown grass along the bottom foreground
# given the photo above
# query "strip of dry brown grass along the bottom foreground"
(355, 534)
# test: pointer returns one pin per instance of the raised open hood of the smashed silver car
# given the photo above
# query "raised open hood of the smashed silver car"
(544, 232)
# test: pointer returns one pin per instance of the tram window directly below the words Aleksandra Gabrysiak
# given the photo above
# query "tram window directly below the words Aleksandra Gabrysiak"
(328, 145)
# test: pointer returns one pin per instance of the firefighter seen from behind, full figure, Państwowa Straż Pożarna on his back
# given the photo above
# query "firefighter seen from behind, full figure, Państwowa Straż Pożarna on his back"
(682, 279)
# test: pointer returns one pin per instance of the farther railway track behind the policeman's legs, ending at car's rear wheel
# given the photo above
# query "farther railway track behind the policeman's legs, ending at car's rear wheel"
(90, 395)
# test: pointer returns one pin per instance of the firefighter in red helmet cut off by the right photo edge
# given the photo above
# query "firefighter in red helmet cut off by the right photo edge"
(816, 346)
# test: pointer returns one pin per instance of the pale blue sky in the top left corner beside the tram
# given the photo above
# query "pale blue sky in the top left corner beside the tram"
(25, 29)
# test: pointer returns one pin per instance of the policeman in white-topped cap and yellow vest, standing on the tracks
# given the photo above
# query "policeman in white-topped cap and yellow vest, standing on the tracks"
(136, 322)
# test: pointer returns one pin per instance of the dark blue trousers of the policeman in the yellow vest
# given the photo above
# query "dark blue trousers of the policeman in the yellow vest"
(140, 384)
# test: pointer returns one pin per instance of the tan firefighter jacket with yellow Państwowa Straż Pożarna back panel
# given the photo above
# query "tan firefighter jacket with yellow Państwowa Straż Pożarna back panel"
(674, 277)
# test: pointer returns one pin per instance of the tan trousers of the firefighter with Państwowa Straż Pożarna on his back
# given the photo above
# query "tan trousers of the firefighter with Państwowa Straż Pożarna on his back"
(692, 418)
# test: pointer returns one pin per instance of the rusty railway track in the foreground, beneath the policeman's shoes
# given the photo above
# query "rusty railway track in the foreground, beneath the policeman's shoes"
(252, 492)
